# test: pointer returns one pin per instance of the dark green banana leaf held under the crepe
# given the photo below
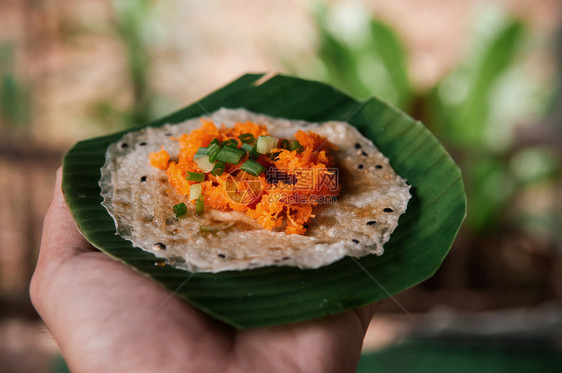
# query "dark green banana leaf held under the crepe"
(279, 295)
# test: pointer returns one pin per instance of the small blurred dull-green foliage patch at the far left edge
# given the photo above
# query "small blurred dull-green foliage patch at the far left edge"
(15, 96)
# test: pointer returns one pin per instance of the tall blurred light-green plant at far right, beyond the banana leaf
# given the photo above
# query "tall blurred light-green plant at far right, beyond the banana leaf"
(476, 110)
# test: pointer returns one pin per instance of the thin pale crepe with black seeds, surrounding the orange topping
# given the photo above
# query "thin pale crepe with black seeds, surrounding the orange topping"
(139, 199)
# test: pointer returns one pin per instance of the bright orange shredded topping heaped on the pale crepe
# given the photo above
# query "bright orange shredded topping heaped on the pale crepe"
(281, 198)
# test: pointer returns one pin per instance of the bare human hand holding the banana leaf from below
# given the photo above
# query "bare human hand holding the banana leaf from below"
(105, 317)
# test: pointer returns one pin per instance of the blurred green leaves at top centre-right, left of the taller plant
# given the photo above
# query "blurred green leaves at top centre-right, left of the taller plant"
(359, 55)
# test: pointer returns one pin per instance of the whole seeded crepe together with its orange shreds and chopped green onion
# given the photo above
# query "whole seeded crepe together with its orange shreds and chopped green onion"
(235, 190)
